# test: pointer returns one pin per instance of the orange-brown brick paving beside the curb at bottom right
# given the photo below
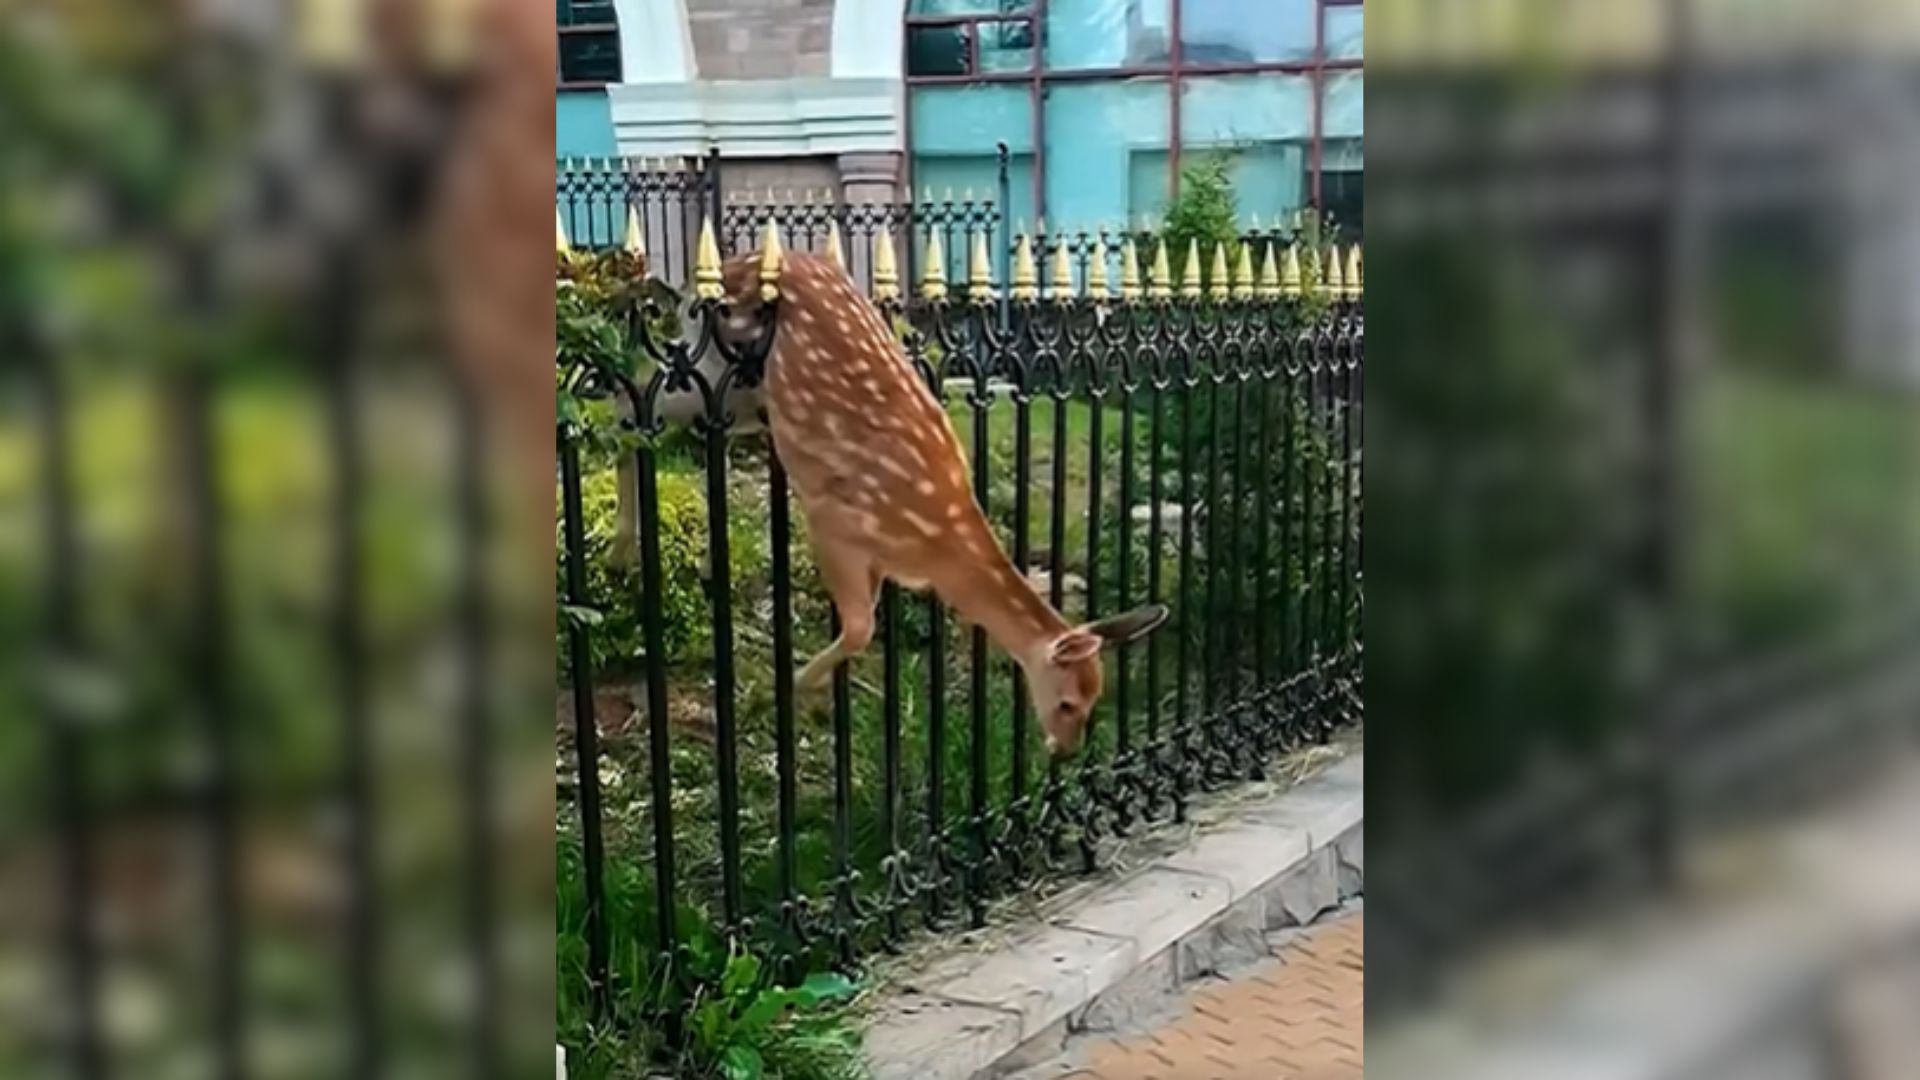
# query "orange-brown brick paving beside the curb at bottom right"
(1297, 1018)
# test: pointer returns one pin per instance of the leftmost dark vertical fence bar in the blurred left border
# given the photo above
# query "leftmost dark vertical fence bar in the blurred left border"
(68, 750)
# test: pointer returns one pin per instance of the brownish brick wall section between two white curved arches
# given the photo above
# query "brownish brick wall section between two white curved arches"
(761, 39)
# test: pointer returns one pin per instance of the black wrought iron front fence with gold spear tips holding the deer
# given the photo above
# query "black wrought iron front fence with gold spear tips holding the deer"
(1136, 435)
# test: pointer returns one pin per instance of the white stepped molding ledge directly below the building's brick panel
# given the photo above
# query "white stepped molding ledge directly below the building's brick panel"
(757, 118)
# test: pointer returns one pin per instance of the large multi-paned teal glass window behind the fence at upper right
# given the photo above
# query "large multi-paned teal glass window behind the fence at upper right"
(1124, 89)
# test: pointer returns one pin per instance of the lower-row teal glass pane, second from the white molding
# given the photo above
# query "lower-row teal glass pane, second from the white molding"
(1095, 134)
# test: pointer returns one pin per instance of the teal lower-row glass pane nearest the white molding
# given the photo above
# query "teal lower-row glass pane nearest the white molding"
(955, 135)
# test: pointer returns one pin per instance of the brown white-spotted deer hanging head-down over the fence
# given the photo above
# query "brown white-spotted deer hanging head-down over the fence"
(886, 493)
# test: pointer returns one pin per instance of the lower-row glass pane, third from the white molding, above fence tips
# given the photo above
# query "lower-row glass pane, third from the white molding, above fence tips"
(1264, 124)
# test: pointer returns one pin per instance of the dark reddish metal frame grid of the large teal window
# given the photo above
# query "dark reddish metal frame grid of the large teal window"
(1176, 72)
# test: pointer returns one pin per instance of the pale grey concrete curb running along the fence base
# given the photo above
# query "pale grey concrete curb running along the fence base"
(1126, 946)
